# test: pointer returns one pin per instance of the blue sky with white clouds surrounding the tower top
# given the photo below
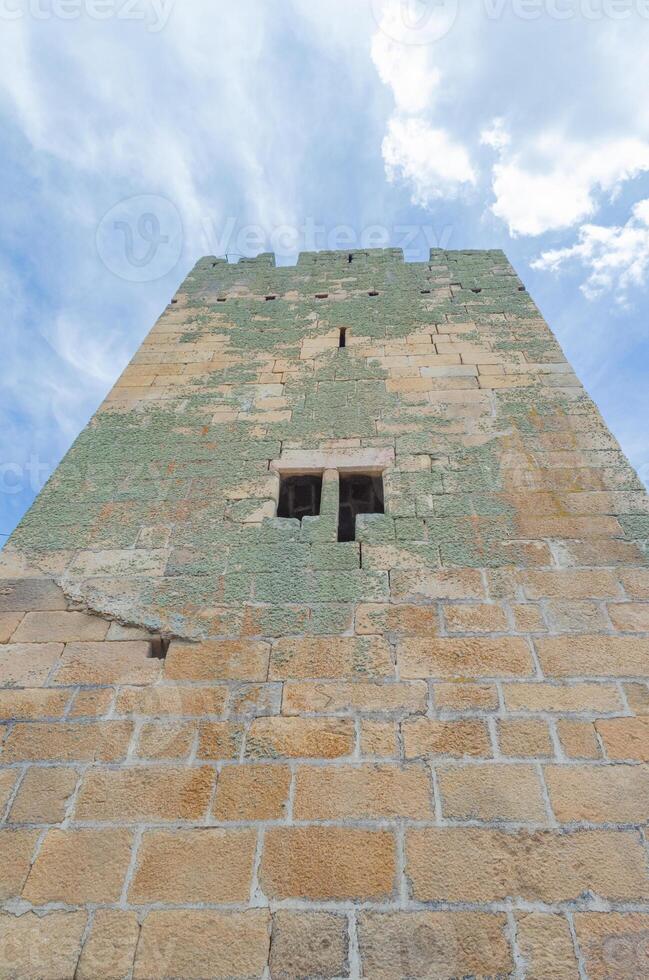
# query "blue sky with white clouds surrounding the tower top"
(138, 135)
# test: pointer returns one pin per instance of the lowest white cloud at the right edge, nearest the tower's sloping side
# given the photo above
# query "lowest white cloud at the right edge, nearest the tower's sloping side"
(617, 257)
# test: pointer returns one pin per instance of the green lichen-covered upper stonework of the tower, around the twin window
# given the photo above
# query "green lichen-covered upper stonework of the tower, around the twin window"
(165, 503)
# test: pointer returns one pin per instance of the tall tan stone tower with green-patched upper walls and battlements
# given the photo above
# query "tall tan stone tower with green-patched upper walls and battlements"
(325, 652)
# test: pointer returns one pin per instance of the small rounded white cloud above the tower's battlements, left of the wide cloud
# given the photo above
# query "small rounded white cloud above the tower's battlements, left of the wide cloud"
(426, 158)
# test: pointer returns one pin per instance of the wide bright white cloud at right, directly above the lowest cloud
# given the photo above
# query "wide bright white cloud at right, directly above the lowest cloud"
(556, 182)
